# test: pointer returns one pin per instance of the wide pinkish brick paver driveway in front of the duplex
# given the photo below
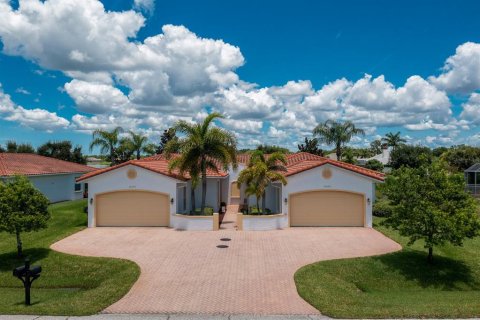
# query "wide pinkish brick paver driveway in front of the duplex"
(185, 272)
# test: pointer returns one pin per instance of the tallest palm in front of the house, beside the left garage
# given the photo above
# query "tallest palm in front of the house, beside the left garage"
(202, 147)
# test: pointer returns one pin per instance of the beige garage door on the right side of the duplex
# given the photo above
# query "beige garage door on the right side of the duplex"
(327, 208)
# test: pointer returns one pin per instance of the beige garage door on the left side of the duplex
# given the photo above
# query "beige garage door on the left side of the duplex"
(132, 209)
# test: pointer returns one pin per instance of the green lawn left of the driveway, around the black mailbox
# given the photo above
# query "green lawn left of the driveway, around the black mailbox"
(69, 285)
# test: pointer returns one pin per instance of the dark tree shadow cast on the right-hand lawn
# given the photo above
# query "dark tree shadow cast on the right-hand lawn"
(443, 273)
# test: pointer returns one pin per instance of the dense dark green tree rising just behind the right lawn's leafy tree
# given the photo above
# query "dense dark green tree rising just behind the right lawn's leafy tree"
(410, 156)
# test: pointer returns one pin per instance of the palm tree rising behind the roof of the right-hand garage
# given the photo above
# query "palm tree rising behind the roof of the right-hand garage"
(337, 133)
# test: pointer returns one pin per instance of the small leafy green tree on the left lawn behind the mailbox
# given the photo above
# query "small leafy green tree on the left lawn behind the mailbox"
(22, 209)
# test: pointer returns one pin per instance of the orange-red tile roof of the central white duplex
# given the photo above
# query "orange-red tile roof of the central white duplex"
(296, 163)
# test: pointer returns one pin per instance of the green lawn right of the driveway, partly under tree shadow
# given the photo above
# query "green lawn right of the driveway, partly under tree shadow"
(397, 285)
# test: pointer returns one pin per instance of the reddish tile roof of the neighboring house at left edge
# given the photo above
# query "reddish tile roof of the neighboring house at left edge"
(30, 164)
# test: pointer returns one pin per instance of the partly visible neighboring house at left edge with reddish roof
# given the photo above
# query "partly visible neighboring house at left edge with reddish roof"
(56, 179)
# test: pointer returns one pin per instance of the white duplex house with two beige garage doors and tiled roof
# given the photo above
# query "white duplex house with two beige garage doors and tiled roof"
(320, 192)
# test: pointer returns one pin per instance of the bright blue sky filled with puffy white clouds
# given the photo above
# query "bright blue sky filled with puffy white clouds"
(262, 63)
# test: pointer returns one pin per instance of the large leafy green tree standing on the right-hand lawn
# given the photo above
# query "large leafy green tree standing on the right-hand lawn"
(430, 204)
